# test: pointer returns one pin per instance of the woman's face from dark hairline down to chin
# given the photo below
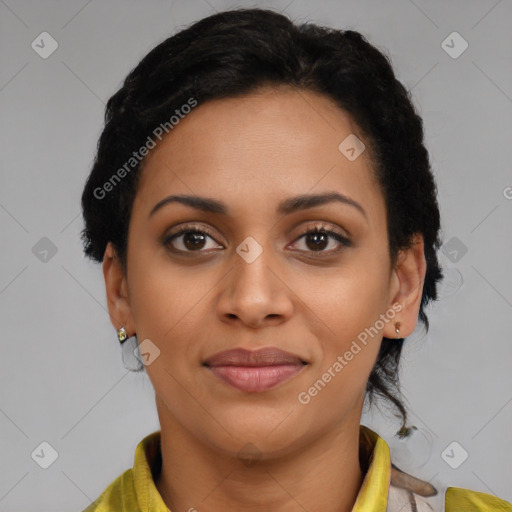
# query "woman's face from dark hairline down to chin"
(252, 279)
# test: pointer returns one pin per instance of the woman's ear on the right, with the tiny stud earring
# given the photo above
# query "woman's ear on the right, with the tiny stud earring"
(406, 285)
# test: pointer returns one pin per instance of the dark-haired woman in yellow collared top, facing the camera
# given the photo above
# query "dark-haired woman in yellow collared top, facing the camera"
(265, 212)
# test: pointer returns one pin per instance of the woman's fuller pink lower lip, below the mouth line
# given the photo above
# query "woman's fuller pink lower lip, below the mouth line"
(256, 378)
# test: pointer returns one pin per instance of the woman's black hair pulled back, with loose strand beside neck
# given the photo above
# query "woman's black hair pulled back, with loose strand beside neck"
(237, 52)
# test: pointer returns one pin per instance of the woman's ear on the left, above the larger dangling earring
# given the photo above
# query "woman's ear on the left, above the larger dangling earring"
(116, 286)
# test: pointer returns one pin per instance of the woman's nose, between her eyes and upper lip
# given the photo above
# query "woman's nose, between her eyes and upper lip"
(255, 292)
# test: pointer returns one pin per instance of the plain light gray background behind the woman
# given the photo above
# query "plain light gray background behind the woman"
(61, 375)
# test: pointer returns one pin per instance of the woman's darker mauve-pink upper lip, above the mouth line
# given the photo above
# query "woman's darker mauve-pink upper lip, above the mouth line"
(270, 356)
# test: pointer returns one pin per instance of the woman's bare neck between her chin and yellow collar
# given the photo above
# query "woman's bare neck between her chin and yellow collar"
(324, 474)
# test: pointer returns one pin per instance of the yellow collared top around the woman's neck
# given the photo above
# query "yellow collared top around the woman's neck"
(384, 489)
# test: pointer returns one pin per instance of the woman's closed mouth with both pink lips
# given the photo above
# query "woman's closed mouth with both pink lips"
(254, 371)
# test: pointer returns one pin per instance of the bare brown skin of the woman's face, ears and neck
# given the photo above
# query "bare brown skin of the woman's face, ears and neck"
(251, 153)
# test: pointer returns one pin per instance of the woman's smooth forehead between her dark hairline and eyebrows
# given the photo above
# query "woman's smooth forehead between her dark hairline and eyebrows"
(260, 147)
